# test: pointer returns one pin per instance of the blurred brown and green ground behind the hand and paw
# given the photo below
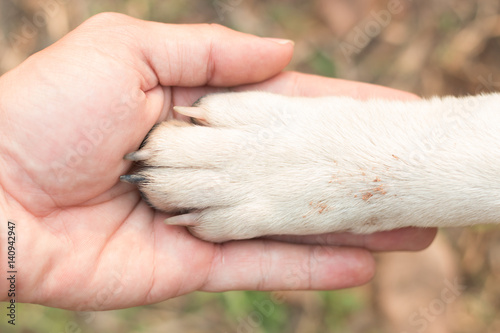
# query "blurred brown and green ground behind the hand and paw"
(426, 47)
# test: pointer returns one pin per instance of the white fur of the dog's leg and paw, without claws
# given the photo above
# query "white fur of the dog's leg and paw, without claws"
(269, 164)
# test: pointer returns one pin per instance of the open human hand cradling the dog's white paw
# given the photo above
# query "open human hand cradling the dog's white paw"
(85, 241)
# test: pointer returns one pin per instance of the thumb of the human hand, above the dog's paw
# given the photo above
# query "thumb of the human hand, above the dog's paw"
(196, 55)
